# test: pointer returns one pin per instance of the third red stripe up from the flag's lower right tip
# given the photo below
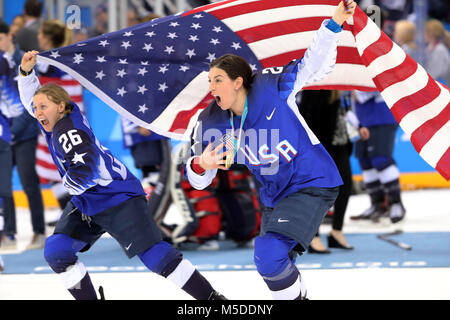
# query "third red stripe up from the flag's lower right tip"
(412, 102)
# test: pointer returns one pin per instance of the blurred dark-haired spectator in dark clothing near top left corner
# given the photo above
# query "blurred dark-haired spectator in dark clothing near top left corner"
(26, 37)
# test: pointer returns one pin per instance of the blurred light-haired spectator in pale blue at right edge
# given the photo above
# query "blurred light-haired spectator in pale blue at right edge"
(437, 58)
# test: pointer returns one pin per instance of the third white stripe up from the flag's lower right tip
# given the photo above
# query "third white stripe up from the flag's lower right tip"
(405, 88)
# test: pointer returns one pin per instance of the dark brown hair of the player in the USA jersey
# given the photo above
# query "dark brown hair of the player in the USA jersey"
(235, 66)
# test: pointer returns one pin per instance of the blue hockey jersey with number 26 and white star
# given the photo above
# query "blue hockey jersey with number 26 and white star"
(92, 175)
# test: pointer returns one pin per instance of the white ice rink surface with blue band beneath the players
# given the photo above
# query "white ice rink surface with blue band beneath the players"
(374, 270)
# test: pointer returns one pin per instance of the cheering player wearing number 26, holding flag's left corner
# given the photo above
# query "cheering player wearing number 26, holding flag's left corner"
(106, 197)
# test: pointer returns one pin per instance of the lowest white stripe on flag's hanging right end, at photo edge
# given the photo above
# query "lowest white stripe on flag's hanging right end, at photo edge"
(435, 148)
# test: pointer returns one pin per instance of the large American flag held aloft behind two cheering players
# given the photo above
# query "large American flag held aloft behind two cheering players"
(155, 73)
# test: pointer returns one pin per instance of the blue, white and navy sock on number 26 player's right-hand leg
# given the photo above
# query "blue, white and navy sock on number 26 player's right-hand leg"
(168, 262)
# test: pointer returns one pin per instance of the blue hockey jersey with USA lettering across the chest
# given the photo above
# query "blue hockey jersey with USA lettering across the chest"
(276, 144)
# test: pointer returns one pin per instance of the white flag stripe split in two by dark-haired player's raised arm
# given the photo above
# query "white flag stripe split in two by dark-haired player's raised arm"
(294, 41)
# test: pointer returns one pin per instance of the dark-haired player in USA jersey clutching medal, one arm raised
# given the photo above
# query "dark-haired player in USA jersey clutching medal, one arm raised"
(299, 179)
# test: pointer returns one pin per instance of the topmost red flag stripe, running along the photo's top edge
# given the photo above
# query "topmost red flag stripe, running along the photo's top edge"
(265, 5)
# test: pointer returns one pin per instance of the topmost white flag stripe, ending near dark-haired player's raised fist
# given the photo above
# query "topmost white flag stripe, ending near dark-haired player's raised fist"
(255, 19)
